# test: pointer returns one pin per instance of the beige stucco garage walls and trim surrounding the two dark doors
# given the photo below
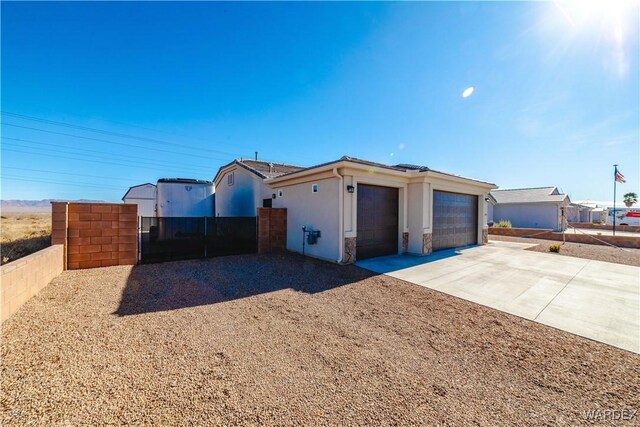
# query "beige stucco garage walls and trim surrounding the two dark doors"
(415, 206)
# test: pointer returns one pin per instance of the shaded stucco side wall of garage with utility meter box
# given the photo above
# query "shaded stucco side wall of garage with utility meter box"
(317, 211)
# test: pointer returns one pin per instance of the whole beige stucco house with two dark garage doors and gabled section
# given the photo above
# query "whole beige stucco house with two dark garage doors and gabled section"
(363, 209)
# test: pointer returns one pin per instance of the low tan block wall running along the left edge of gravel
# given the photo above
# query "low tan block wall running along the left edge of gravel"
(23, 278)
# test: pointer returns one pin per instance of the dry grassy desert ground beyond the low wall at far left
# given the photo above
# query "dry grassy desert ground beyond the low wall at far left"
(22, 234)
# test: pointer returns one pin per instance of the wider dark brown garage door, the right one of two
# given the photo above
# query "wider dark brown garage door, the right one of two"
(455, 220)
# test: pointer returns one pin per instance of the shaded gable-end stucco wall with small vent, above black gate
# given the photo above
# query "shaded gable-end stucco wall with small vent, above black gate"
(243, 197)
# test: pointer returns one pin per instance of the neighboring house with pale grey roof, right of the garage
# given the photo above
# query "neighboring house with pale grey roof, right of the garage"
(531, 207)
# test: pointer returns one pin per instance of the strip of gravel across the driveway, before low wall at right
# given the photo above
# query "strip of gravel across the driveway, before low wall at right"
(580, 250)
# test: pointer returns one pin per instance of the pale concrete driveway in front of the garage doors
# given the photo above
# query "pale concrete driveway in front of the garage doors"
(594, 299)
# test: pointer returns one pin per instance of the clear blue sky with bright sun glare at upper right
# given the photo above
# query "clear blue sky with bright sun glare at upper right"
(179, 89)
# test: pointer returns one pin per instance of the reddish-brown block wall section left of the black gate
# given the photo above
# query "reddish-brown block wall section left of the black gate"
(96, 234)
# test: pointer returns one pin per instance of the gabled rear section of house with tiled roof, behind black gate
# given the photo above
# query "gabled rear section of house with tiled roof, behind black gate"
(241, 188)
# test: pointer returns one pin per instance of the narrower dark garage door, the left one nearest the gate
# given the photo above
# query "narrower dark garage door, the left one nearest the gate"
(377, 221)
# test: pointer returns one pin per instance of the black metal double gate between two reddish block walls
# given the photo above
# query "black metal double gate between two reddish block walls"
(178, 238)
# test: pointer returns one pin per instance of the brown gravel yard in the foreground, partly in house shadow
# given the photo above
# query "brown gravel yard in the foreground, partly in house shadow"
(283, 340)
